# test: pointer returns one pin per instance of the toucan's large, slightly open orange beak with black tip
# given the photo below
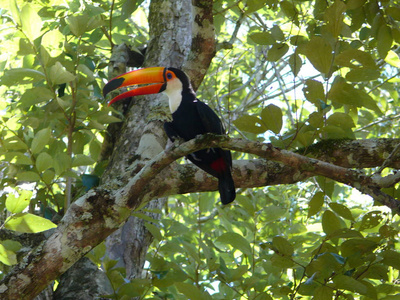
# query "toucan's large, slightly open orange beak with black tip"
(155, 75)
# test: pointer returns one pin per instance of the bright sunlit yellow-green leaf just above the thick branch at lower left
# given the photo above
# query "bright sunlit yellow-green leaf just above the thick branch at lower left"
(28, 223)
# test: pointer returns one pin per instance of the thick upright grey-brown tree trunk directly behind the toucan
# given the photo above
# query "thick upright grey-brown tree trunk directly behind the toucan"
(143, 136)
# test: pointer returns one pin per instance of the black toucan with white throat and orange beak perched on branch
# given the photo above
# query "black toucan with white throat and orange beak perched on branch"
(190, 117)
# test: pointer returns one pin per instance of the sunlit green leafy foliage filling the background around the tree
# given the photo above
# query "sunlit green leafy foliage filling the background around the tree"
(293, 72)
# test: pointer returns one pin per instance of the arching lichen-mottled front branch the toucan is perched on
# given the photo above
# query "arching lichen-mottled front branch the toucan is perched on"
(98, 213)
